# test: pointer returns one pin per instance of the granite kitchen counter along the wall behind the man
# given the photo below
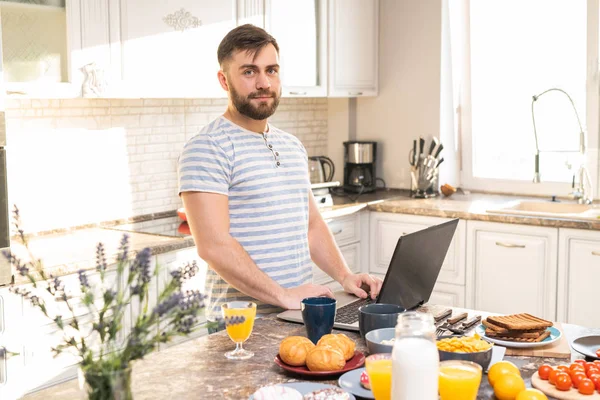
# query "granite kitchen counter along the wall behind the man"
(68, 251)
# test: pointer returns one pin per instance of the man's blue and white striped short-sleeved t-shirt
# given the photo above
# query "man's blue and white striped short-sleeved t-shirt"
(266, 179)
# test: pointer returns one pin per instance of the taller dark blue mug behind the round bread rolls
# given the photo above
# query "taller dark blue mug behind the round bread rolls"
(318, 314)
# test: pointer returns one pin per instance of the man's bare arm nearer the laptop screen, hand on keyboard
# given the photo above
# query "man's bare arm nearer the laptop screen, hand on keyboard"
(327, 255)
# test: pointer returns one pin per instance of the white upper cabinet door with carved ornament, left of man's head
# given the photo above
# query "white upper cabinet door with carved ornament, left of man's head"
(169, 49)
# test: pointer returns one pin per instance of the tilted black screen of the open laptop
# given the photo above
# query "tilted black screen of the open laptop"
(416, 264)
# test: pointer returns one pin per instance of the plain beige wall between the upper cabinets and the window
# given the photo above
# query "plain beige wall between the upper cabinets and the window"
(408, 104)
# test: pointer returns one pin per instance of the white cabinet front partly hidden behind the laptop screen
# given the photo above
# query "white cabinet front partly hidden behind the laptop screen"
(386, 229)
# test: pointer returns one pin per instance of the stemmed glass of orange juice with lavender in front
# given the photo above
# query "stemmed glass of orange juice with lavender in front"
(239, 332)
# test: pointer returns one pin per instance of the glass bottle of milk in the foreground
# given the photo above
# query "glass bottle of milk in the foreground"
(415, 358)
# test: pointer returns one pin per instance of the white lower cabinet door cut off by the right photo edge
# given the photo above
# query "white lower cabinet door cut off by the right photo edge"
(578, 277)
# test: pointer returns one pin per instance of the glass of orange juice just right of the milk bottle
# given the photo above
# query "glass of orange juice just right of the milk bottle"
(459, 380)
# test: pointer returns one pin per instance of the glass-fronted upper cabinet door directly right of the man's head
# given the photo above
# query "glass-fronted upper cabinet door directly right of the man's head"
(299, 26)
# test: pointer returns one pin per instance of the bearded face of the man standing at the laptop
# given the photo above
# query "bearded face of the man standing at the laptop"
(253, 81)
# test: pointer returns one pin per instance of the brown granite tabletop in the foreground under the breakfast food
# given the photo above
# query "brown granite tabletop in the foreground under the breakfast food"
(198, 369)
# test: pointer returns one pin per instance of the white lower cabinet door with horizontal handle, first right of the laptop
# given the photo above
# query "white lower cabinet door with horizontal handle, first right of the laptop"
(512, 272)
